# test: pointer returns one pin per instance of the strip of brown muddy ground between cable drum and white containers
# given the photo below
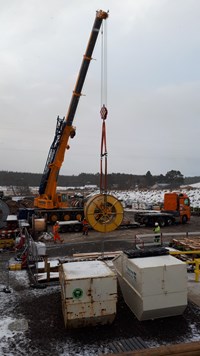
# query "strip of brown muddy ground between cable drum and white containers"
(117, 240)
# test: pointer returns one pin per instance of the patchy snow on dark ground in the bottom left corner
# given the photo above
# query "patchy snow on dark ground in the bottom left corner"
(13, 324)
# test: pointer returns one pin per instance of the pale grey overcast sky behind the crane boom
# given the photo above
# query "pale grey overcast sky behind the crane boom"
(153, 77)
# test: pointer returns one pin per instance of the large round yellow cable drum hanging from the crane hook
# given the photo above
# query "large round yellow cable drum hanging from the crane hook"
(104, 212)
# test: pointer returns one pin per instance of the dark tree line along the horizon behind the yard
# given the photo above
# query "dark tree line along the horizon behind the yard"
(172, 179)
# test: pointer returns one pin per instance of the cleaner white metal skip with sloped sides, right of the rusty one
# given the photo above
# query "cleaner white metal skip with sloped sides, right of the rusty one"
(153, 287)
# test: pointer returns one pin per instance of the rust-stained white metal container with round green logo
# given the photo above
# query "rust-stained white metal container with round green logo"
(89, 293)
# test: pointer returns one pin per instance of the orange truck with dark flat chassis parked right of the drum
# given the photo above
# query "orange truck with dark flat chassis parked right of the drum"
(176, 208)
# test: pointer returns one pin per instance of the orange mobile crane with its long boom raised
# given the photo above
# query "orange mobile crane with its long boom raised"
(49, 203)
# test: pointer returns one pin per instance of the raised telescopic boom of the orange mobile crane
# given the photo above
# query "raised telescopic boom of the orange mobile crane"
(47, 193)
